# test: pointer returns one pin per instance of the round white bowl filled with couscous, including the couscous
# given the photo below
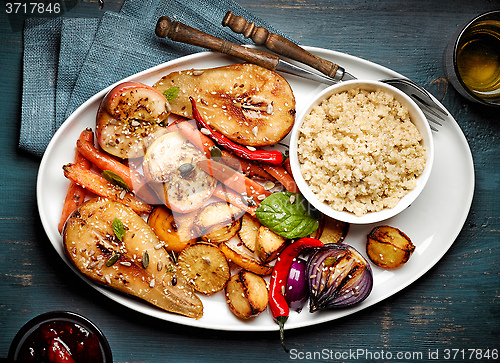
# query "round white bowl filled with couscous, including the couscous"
(361, 151)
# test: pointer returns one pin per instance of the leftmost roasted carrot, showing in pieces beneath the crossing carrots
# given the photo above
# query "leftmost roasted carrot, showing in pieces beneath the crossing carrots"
(75, 194)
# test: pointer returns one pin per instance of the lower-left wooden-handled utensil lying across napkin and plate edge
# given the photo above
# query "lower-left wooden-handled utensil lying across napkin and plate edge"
(183, 33)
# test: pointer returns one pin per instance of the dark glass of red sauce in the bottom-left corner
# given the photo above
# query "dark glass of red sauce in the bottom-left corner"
(57, 337)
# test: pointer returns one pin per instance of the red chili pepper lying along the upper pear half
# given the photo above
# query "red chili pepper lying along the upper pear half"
(267, 156)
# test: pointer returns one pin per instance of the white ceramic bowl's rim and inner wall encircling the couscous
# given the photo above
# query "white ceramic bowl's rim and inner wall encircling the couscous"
(417, 117)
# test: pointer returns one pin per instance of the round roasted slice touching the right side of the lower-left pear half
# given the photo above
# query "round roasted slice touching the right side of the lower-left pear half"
(205, 267)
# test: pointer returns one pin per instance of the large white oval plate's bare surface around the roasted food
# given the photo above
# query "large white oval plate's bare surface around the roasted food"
(432, 222)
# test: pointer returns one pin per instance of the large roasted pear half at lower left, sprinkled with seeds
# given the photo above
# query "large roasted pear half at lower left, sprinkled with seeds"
(112, 245)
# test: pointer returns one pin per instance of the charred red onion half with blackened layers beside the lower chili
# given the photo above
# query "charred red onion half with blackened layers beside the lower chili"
(339, 276)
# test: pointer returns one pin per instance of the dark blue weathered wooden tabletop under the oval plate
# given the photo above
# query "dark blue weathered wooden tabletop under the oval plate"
(453, 306)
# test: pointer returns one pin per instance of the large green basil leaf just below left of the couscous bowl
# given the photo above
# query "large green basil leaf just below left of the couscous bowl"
(287, 214)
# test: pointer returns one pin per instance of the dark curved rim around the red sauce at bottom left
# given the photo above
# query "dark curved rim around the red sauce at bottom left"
(59, 315)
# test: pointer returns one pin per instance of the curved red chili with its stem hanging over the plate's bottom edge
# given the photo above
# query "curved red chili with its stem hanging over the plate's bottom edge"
(277, 302)
